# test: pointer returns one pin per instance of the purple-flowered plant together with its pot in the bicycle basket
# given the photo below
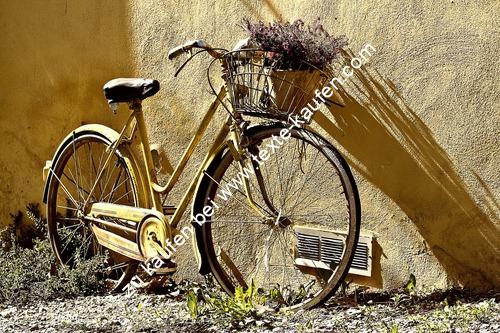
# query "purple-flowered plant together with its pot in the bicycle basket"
(295, 54)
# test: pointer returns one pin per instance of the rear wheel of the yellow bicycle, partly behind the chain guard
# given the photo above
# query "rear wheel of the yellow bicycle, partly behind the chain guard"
(74, 174)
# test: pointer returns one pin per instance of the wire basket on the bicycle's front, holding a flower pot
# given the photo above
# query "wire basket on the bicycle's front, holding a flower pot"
(259, 86)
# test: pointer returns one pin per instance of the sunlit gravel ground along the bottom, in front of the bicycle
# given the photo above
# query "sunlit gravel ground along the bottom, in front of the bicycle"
(160, 313)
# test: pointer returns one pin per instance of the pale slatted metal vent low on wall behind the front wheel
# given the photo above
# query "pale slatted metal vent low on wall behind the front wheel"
(323, 249)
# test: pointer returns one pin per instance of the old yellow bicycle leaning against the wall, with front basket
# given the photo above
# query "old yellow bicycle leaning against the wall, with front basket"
(291, 228)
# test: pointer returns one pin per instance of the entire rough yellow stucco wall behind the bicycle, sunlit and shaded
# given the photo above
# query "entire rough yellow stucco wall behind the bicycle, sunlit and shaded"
(424, 143)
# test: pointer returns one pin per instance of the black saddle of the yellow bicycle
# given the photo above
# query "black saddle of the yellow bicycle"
(127, 89)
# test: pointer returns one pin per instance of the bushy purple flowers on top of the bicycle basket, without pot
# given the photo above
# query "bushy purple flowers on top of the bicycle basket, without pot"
(296, 42)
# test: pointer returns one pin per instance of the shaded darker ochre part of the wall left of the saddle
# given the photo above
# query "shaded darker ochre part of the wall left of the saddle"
(55, 57)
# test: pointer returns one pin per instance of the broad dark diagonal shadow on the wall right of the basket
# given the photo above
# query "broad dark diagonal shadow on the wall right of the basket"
(394, 150)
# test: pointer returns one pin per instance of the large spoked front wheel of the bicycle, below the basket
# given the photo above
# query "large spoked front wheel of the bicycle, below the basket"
(299, 243)
